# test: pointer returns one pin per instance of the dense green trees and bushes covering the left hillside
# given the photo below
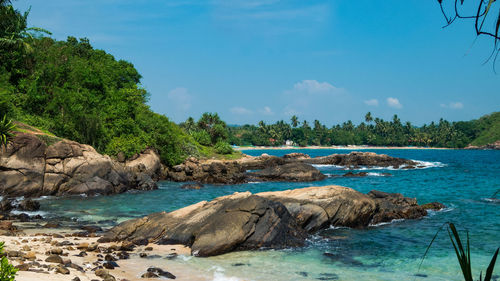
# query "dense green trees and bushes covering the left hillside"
(81, 93)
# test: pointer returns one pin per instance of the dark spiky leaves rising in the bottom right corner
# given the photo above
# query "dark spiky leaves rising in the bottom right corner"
(463, 254)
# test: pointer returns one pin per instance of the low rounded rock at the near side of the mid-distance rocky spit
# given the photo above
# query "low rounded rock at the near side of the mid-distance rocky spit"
(288, 172)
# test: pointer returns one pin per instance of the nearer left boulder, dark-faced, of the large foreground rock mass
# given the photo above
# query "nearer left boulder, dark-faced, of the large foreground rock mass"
(236, 222)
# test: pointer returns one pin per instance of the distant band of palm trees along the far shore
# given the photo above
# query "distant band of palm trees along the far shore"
(374, 131)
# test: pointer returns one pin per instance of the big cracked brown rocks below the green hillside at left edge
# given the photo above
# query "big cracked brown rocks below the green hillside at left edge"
(28, 167)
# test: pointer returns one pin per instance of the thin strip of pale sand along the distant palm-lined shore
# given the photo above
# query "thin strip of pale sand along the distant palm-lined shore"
(353, 147)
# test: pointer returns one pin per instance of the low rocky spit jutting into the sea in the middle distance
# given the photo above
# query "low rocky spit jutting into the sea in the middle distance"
(290, 167)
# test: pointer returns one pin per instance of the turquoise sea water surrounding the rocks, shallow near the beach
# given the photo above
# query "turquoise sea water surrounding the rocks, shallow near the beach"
(462, 180)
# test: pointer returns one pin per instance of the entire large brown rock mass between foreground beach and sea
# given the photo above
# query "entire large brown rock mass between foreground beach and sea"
(243, 221)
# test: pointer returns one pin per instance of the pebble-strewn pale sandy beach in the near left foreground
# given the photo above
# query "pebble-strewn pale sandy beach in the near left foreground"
(76, 258)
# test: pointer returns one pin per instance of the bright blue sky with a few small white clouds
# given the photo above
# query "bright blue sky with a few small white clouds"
(252, 60)
